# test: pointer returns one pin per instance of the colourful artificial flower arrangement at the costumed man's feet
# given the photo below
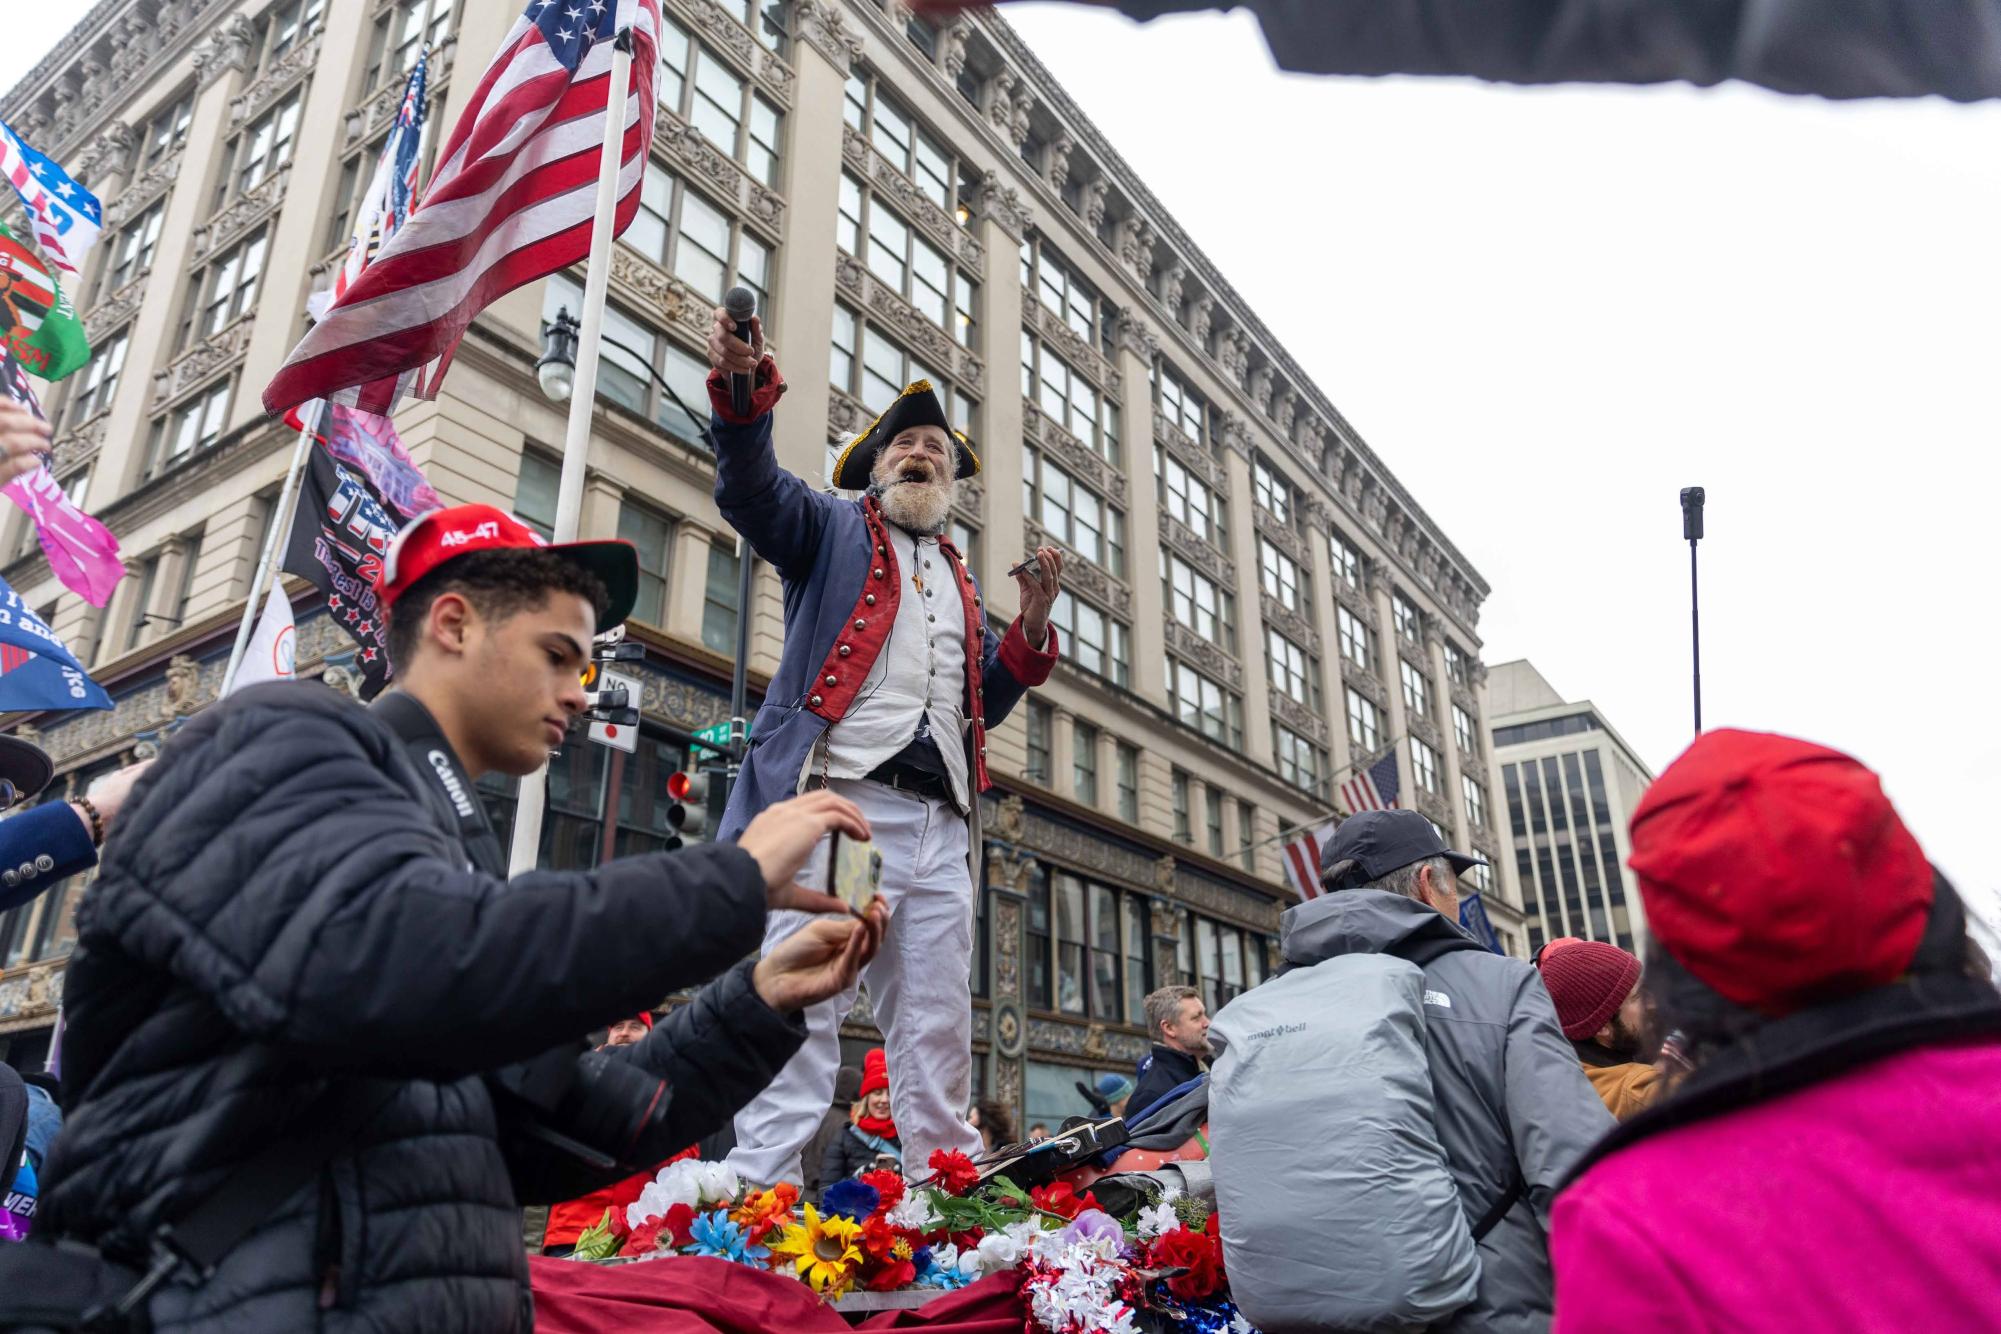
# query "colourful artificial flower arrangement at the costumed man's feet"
(1082, 1269)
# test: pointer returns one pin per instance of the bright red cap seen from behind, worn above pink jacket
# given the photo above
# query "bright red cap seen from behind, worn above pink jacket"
(1778, 873)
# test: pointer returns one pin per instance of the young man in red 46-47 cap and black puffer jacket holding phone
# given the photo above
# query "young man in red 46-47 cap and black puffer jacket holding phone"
(305, 921)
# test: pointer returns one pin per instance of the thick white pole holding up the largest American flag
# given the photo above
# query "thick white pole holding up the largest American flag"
(533, 799)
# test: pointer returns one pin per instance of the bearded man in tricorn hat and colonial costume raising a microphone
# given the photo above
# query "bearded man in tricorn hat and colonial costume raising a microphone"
(885, 691)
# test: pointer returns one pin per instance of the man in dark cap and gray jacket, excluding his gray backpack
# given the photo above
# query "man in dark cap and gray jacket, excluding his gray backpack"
(1510, 1101)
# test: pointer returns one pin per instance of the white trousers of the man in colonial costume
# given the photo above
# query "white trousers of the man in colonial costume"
(919, 985)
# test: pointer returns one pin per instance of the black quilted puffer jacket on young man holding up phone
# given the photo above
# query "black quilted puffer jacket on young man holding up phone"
(281, 909)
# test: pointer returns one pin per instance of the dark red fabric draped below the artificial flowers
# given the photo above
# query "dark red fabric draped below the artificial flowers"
(693, 1295)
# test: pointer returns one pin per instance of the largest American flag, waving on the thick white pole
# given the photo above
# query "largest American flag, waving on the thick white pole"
(511, 201)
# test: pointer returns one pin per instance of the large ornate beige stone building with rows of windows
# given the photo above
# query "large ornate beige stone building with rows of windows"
(1256, 603)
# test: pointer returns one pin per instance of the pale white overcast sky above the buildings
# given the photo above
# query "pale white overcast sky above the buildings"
(1548, 311)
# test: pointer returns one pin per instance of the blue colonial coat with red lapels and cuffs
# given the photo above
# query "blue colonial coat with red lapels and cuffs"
(841, 589)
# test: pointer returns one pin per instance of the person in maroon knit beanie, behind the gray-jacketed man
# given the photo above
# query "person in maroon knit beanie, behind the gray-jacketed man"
(1596, 989)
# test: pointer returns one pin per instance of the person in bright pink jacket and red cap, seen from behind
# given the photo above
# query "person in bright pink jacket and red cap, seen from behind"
(1834, 1161)
